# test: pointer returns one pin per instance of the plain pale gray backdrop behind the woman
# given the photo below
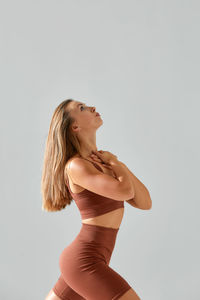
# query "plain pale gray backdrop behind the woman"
(138, 63)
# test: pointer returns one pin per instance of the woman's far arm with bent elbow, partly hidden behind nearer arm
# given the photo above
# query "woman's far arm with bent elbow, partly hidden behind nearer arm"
(142, 199)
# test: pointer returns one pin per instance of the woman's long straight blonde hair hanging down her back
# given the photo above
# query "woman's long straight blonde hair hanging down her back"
(61, 145)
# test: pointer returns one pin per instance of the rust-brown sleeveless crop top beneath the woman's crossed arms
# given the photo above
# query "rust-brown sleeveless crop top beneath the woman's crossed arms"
(91, 204)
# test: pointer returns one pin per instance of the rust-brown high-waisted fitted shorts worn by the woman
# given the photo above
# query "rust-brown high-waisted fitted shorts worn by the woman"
(84, 266)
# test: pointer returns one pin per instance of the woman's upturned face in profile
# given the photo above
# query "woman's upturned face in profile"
(84, 115)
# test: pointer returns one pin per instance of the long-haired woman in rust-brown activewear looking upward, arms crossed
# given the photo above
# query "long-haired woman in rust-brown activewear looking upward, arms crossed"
(99, 184)
